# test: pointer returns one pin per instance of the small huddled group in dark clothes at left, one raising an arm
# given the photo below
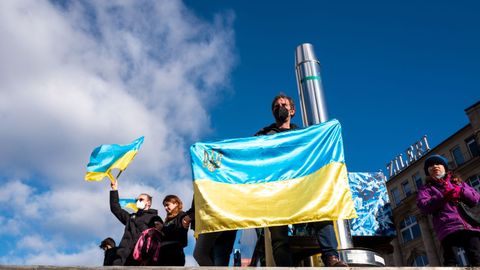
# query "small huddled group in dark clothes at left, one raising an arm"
(147, 238)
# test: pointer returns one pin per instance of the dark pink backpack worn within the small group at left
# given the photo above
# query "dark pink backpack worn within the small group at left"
(147, 248)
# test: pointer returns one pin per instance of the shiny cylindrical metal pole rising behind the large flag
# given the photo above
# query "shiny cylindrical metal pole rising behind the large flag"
(314, 111)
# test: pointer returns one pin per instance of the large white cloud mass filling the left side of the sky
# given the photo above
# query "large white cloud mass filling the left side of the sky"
(75, 75)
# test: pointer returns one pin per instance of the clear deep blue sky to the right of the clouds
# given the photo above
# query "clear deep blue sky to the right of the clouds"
(392, 72)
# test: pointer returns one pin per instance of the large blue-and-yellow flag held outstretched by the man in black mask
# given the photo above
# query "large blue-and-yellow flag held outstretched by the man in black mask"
(286, 178)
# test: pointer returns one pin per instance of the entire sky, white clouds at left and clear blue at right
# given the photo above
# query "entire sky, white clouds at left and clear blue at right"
(77, 74)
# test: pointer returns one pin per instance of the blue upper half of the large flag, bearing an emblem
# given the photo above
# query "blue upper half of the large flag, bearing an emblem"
(271, 158)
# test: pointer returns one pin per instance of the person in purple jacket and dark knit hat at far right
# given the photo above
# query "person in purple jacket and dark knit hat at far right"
(440, 197)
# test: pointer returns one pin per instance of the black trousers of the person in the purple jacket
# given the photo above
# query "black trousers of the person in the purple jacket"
(468, 240)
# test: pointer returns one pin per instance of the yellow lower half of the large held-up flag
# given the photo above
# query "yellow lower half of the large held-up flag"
(322, 195)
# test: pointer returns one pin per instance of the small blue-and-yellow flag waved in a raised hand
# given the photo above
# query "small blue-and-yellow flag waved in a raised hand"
(107, 157)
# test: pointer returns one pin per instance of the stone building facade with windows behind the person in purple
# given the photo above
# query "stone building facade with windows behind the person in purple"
(416, 243)
